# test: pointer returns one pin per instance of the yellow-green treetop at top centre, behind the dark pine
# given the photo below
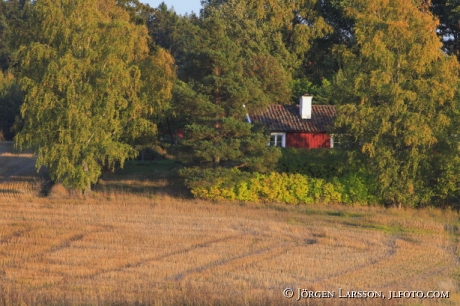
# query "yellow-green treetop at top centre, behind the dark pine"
(283, 29)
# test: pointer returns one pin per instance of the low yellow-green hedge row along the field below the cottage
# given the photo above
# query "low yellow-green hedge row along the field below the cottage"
(233, 184)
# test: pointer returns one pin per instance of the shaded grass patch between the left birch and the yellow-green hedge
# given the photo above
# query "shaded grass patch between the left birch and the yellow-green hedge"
(148, 178)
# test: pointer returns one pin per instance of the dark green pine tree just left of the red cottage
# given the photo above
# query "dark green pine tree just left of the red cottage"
(221, 83)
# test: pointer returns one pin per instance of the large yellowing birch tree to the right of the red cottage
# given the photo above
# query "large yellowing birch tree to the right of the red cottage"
(397, 92)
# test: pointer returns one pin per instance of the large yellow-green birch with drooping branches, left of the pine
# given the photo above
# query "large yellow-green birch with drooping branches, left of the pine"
(90, 87)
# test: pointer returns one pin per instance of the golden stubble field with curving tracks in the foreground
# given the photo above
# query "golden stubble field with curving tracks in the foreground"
(124, 245)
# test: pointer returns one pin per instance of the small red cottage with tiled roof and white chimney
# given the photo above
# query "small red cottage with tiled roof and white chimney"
(298, 126)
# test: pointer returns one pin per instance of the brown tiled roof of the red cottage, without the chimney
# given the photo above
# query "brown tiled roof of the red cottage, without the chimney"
(286, 118)
